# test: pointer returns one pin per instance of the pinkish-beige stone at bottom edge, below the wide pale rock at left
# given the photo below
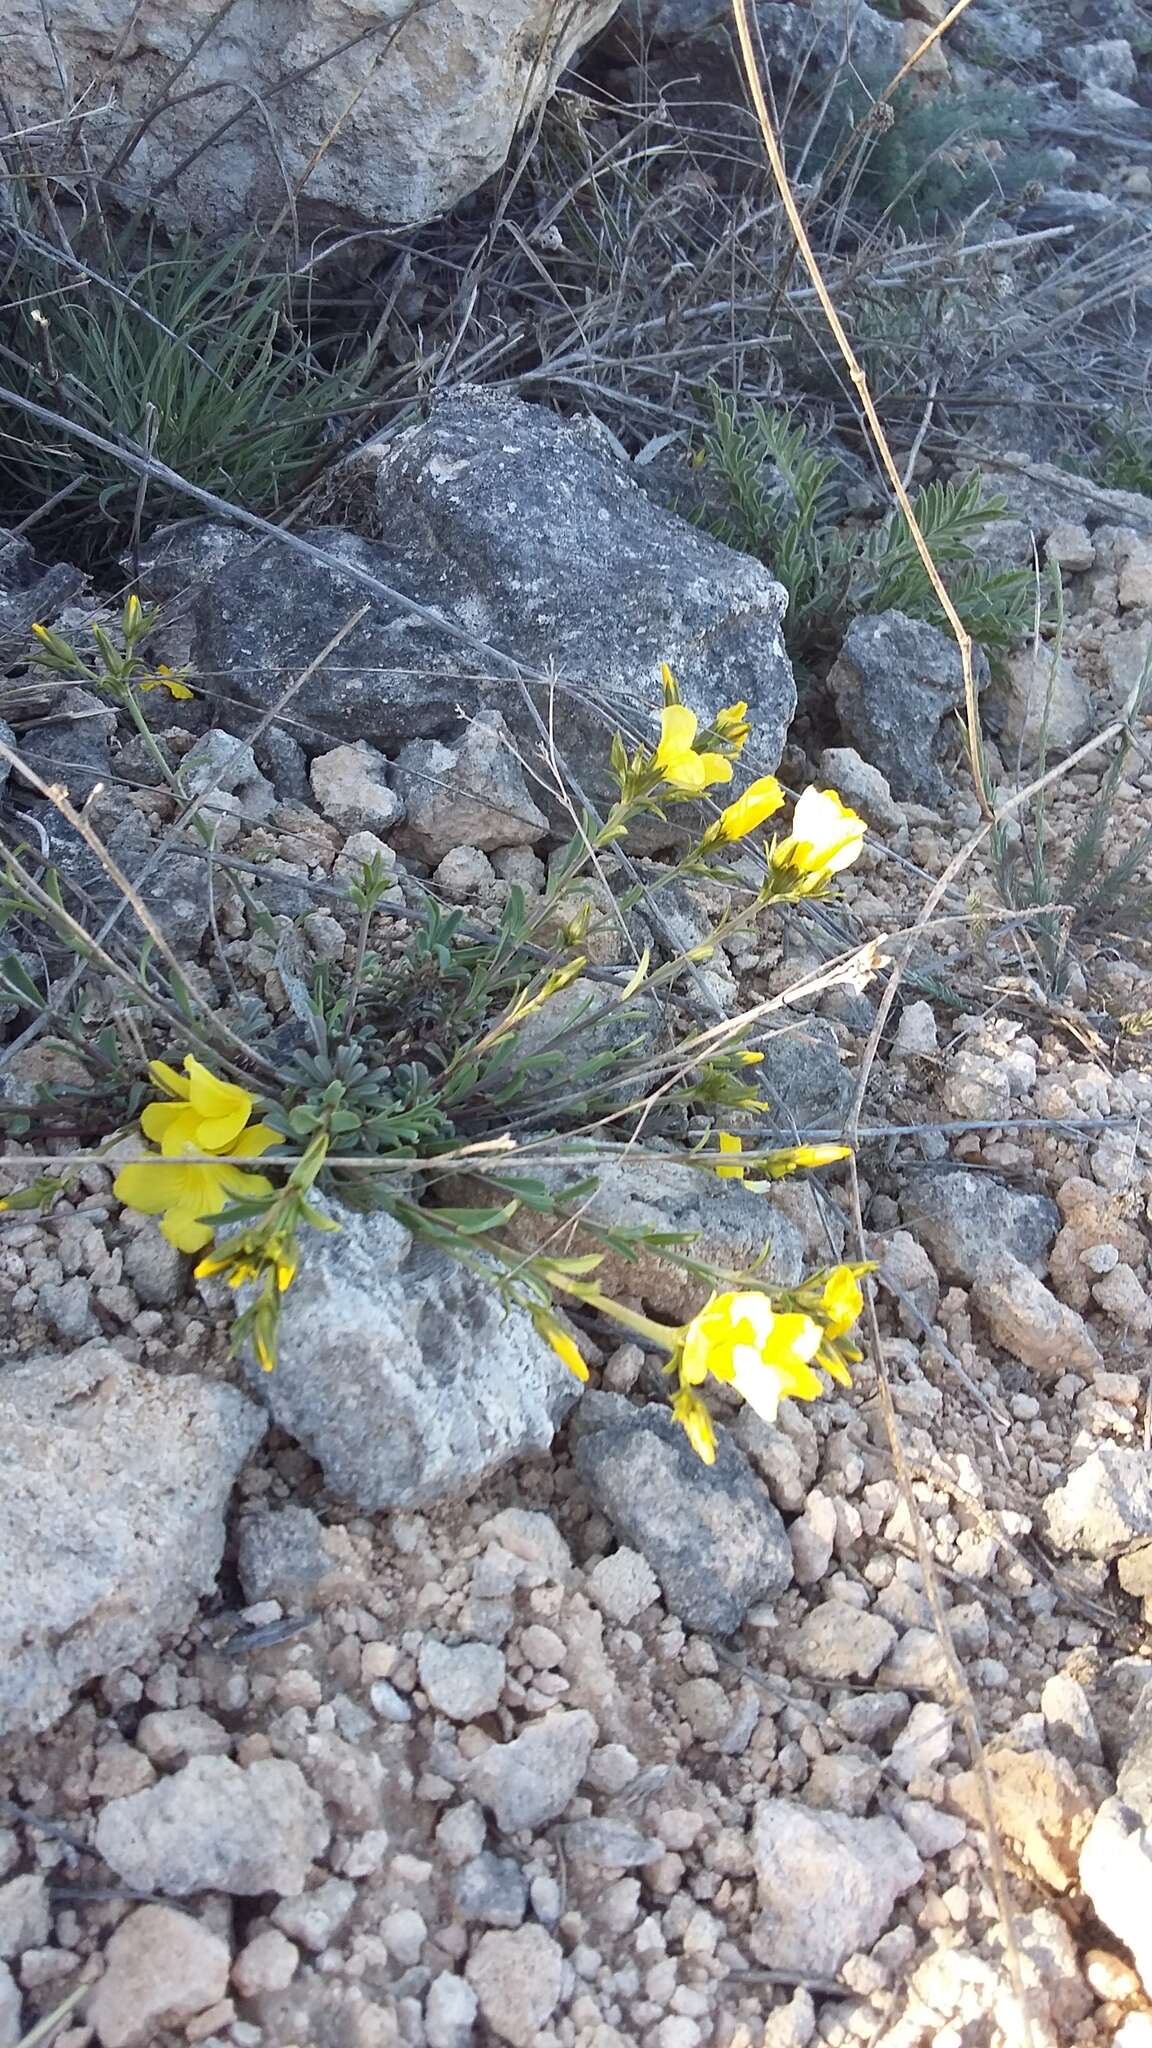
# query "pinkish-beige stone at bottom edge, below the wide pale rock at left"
(161, 1971)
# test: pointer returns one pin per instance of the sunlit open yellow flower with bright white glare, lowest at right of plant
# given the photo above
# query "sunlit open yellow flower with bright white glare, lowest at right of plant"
(741, 1338)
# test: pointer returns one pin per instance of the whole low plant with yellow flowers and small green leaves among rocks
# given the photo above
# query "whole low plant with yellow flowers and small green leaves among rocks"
(472, 1054)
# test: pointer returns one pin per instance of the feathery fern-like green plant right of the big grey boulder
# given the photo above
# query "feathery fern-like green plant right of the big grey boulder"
(784, 507)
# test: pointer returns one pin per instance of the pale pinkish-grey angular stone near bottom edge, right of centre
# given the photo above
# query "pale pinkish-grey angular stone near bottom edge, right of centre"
(827, 1883)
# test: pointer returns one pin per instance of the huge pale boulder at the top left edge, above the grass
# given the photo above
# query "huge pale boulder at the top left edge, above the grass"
(345, 114)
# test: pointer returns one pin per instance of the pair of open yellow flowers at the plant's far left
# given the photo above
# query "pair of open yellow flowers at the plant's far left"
(208, 1117)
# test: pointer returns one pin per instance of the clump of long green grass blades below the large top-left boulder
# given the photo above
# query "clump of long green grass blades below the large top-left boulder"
(196, 357)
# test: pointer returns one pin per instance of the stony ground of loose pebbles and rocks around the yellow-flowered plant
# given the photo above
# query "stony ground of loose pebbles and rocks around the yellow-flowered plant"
(409, 1699)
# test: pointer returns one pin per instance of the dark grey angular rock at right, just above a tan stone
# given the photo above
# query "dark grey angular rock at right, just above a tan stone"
(962, 1218)
